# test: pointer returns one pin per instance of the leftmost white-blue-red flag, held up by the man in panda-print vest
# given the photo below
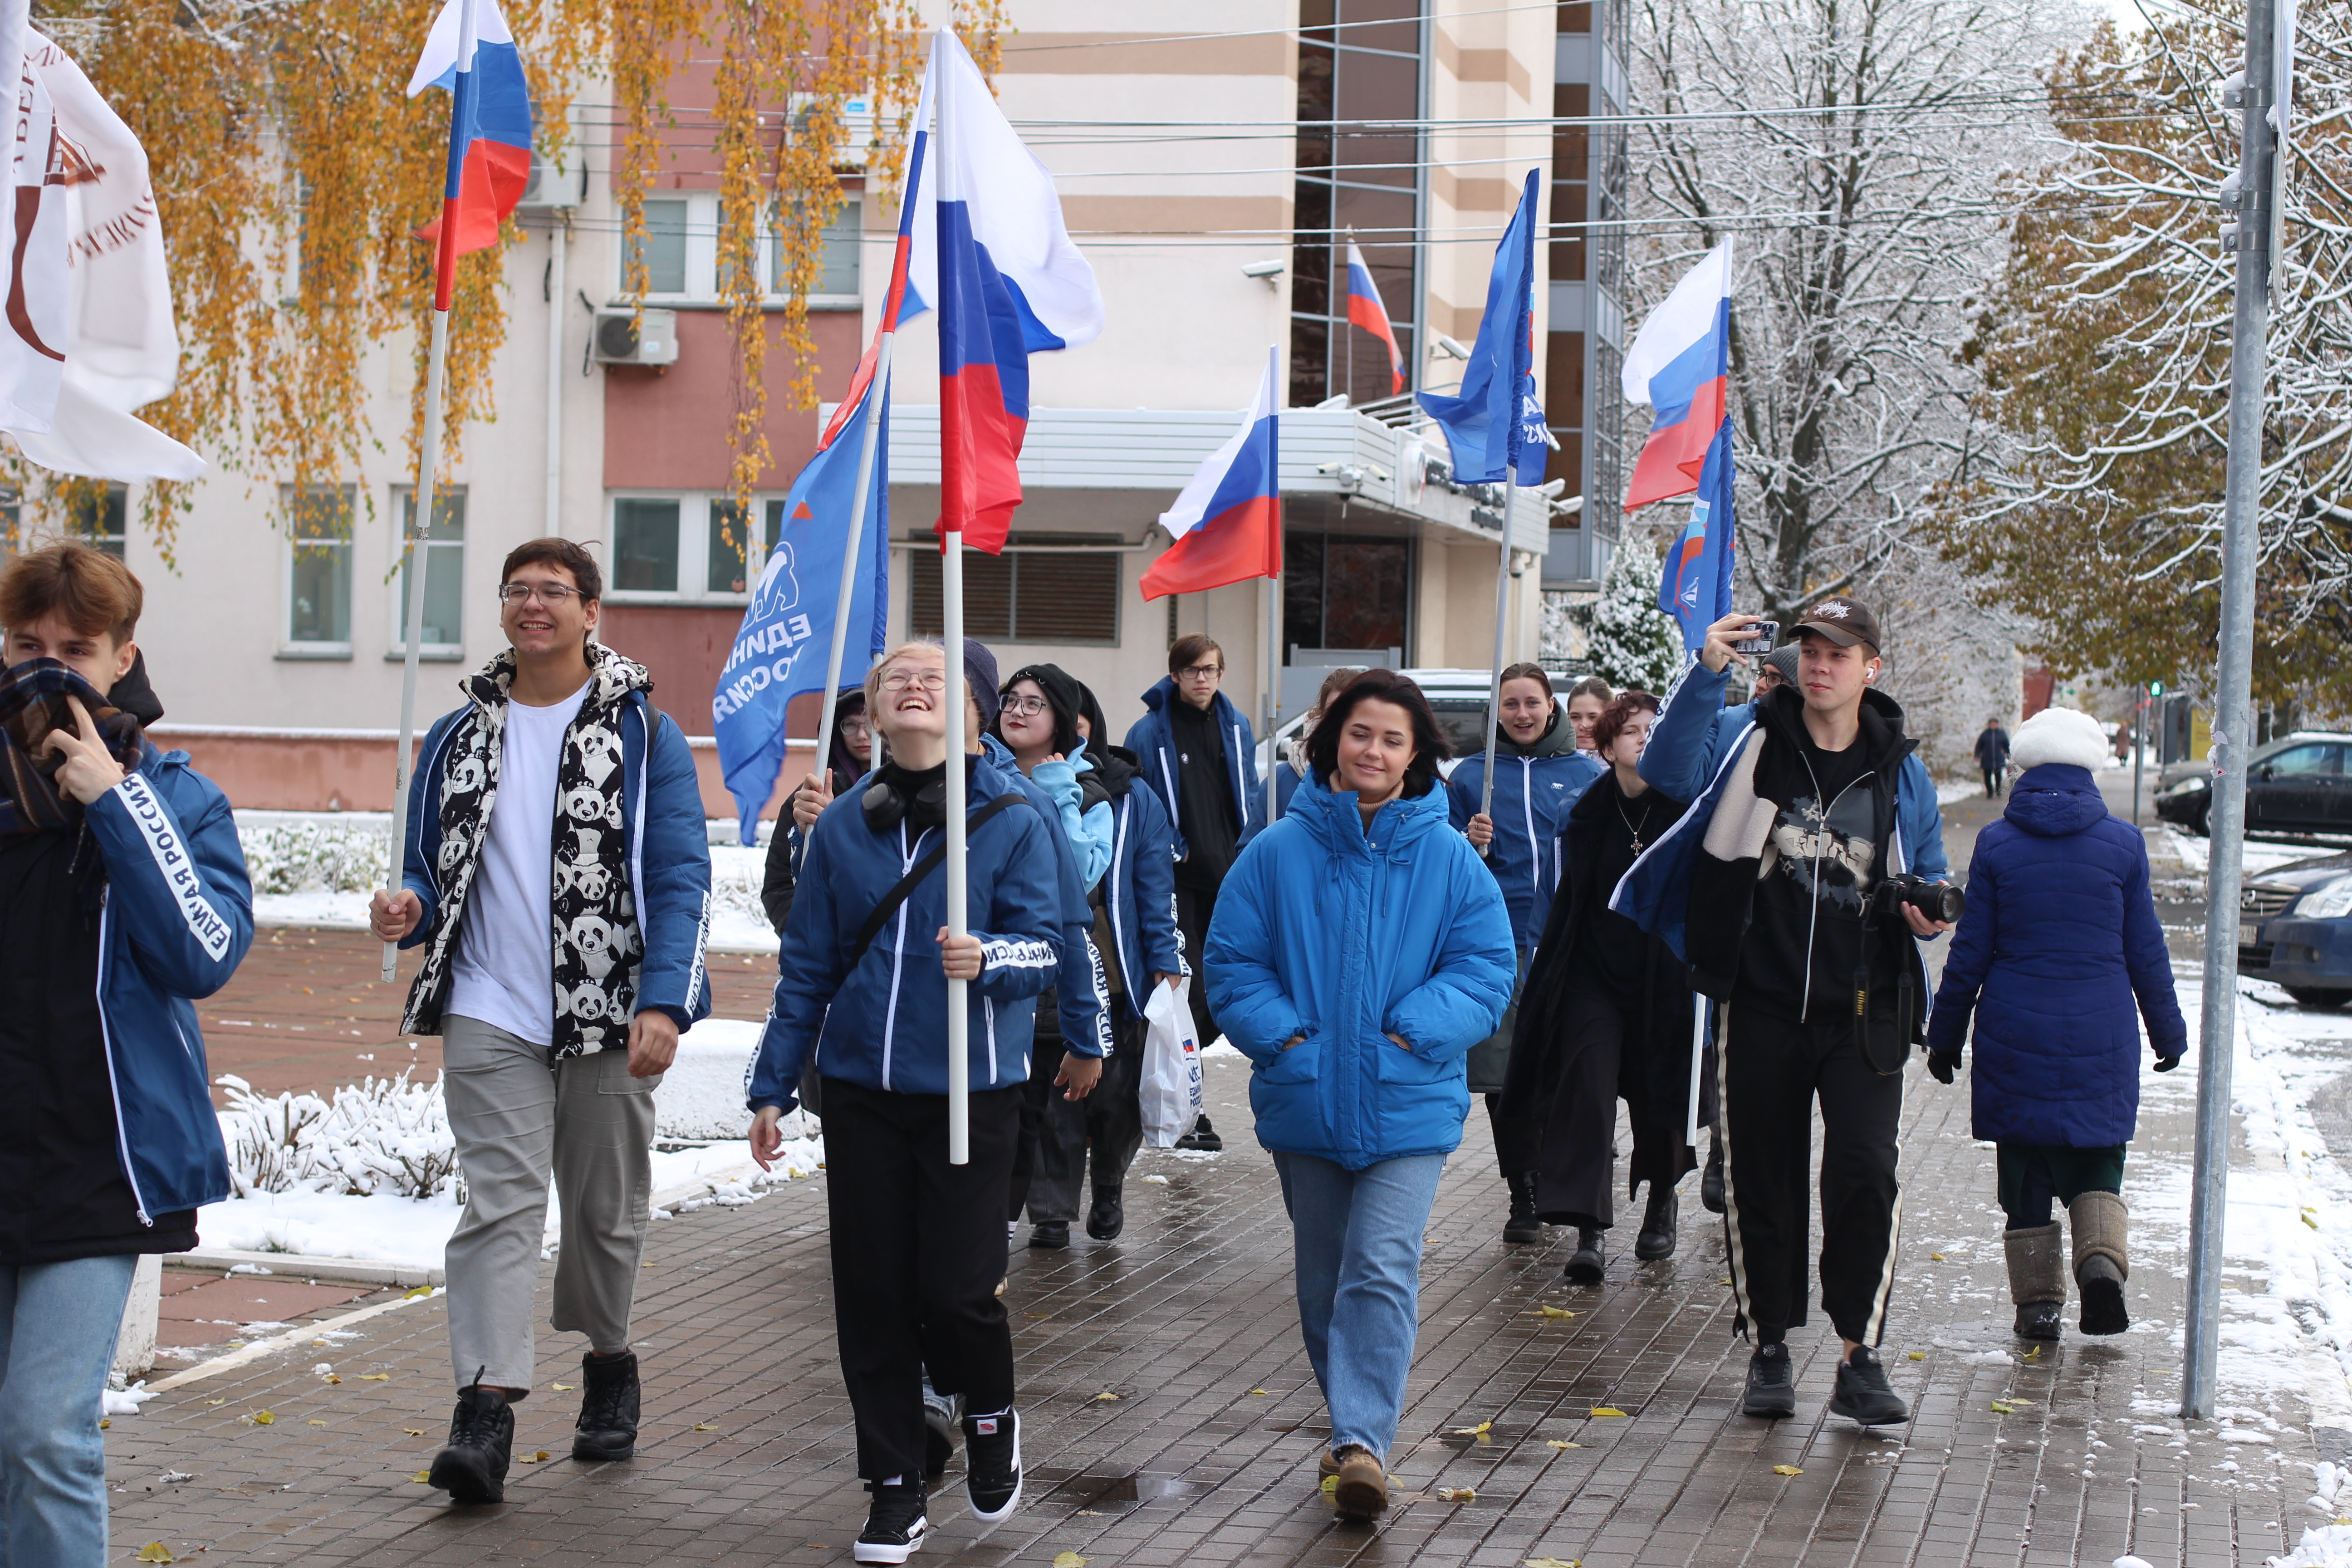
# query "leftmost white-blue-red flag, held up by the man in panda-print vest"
(474, 55)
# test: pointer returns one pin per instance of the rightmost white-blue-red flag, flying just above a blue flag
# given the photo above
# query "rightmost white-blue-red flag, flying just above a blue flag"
(1681, 366)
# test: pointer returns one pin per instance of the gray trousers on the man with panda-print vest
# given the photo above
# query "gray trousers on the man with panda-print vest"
(516, 1123)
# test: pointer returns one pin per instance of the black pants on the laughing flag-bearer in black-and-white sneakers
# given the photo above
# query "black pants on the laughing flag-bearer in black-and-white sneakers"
(918, 1249)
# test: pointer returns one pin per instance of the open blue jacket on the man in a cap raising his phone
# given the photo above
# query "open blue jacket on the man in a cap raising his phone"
(1690, 756)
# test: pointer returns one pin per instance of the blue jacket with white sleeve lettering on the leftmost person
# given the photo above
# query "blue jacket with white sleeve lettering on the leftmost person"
(175, 925)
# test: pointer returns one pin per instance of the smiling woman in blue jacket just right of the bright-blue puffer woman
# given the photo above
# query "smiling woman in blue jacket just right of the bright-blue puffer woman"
(1537, 777)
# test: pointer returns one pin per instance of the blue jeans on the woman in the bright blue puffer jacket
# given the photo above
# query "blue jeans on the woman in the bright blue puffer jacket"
(1356, 1240)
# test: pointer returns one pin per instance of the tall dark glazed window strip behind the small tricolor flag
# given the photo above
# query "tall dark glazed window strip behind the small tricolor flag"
(1358, 177)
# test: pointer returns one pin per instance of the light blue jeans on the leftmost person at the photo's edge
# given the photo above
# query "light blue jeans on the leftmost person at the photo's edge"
(58, 1346)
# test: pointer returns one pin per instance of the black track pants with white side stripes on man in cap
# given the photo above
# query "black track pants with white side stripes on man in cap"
(1772, 1073)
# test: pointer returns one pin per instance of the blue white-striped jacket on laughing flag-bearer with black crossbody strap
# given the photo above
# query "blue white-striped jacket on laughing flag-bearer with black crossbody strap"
(881, 1019)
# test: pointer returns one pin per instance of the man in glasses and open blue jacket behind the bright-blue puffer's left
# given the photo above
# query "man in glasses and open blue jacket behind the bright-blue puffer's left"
(1201, 756)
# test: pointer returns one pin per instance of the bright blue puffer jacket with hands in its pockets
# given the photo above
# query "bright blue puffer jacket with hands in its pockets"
(1351, 937)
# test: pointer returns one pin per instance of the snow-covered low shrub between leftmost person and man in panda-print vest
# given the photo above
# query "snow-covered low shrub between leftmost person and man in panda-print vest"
(377, 1137)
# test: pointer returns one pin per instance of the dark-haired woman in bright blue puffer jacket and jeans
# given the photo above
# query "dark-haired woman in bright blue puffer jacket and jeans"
(1358, 951)
